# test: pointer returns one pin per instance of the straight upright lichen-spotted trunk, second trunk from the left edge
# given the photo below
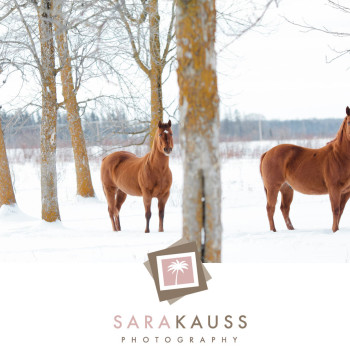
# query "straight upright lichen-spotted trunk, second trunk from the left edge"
(49, 202)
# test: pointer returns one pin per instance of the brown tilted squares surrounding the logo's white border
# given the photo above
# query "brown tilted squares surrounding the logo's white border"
(177, 249)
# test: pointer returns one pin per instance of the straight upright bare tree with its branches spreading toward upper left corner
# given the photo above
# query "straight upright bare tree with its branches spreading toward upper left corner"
(27, 29)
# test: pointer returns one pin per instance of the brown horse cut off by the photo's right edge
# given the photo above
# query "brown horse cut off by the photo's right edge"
(286, 168)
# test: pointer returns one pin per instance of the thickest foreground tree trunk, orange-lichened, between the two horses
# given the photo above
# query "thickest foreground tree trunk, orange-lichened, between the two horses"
(199, 113)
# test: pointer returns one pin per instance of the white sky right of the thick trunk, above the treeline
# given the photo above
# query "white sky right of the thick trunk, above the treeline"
(284, 74)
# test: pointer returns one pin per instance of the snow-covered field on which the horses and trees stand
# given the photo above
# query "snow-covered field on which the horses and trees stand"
(85, 233)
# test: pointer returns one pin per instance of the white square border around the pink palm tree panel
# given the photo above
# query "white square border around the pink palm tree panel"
(160, 258)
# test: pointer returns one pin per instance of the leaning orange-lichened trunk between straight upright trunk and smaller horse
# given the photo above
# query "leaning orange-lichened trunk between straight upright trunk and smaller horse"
(84, 183)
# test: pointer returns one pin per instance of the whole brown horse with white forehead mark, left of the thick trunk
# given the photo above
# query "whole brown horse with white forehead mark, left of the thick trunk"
(124, 173)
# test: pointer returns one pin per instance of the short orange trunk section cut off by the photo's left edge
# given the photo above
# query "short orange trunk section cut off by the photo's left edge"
(7, 195)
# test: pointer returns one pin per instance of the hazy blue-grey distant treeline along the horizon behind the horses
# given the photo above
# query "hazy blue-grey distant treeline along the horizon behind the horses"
(23, 129)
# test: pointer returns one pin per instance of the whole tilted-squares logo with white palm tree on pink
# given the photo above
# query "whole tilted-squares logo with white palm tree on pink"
(177, 271)
